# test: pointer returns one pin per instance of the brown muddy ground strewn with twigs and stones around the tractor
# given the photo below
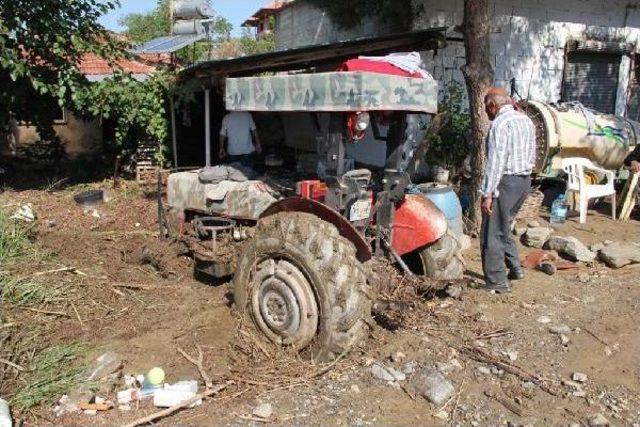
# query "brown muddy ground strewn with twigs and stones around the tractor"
(132, 294)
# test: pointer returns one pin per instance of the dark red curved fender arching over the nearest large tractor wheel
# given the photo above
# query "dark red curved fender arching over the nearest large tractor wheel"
(298, 204)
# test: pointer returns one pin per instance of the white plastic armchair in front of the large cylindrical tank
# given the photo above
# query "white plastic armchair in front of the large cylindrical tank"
(576, 182)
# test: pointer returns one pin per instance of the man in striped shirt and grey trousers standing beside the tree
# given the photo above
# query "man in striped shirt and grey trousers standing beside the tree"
(511, 153)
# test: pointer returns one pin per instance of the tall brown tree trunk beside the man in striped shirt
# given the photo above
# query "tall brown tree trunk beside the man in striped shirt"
(478, 75)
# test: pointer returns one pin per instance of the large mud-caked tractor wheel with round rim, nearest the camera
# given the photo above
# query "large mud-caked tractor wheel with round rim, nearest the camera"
(300, 283)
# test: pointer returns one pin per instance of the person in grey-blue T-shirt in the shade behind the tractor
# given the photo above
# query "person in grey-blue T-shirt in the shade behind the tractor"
(239, 131)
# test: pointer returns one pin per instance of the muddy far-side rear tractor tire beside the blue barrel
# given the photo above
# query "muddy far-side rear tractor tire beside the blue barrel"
(442, 260)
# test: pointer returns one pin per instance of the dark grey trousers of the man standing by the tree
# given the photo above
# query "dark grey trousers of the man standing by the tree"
(499, 250)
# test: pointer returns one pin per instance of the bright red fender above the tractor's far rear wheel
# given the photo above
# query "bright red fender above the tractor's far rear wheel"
(417, 223)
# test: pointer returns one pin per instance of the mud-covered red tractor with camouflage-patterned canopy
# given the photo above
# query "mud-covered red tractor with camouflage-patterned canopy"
(300, 264)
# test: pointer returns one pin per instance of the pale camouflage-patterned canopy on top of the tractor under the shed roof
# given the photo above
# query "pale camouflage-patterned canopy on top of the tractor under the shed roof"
(332, 92)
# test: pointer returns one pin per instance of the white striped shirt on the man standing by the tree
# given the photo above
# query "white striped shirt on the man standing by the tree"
(511, 149)
